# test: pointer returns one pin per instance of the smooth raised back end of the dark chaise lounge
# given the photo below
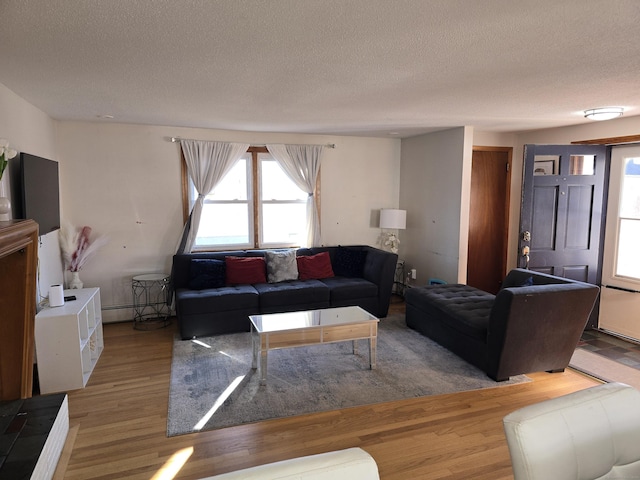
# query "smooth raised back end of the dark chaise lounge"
(536, 328)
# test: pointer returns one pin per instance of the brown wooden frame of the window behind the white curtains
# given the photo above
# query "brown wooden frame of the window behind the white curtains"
(255, 151)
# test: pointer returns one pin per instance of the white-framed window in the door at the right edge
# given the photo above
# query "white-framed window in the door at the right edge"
(622, 262)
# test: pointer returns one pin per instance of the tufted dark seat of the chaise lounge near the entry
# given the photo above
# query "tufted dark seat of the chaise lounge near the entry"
(463, 308)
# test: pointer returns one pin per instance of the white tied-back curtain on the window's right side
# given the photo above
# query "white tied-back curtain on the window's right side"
(302, 164)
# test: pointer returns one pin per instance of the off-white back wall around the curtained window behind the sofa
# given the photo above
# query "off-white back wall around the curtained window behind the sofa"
(124, 182)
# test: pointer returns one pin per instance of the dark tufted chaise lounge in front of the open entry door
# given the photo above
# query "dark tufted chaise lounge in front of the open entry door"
(533, 324)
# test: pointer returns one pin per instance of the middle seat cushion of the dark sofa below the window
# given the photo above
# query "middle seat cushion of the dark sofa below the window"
(306, 293)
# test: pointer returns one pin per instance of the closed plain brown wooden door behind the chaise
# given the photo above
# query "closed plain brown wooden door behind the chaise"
(488, 217)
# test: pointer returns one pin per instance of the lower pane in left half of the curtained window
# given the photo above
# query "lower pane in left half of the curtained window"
(224, 224)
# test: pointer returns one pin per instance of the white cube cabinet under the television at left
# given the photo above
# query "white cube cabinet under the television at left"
(69, 341)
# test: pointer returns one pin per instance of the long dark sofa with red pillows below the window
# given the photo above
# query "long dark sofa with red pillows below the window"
(360, 275)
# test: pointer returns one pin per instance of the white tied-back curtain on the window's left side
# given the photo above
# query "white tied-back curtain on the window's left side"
(207, 164)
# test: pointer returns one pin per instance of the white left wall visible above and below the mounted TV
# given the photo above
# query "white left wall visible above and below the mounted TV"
(30, 130)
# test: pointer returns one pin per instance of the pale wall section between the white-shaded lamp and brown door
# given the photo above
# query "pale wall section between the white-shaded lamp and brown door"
(434, 189)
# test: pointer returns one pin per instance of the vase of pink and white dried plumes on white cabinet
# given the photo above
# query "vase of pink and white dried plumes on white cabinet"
(77, 247)
